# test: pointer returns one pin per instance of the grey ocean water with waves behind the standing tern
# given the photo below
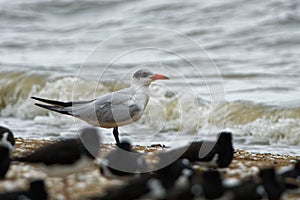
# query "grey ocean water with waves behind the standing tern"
(233, 66)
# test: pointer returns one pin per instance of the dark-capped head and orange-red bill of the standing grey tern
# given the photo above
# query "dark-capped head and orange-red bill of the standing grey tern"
(145, 77)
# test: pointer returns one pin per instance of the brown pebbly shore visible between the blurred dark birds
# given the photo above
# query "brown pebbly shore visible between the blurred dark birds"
(90, 183)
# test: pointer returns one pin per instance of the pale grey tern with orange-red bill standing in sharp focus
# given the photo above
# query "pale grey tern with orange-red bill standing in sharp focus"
(111, 110)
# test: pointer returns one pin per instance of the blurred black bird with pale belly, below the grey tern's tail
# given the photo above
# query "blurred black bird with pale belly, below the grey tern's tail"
(66, 157)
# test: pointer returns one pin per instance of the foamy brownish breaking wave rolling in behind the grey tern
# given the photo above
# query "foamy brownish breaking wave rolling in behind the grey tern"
(255, 123)
